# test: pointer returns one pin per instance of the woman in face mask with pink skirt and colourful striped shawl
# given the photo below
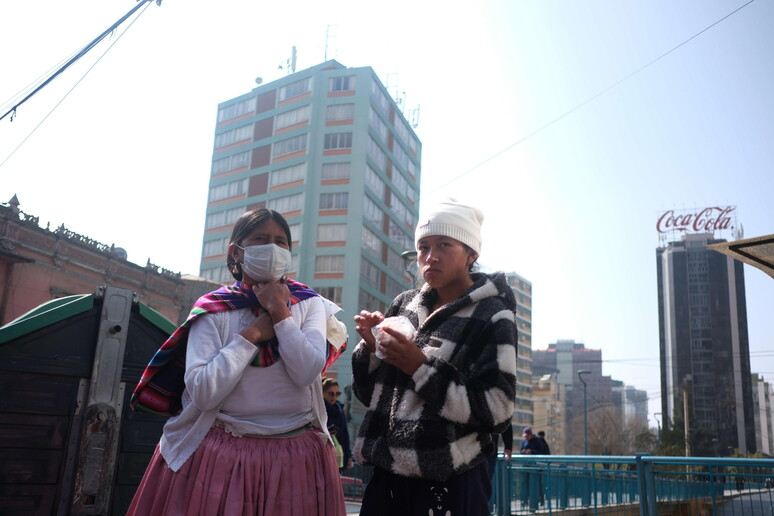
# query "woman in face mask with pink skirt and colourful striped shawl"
(248, 434)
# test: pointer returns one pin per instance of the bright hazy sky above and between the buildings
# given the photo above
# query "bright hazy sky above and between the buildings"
(573, 125)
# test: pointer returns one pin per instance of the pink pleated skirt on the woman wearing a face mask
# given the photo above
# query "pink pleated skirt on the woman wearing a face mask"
(245, 476)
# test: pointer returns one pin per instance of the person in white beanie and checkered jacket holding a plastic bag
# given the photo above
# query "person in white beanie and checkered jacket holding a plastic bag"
(435, 400)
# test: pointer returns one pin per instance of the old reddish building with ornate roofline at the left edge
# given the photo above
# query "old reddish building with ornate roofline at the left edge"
(38, 264)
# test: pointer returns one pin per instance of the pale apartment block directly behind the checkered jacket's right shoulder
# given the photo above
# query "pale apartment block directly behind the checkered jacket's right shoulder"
(523, 415)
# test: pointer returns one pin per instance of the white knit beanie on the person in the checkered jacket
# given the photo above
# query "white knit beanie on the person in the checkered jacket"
(454, 220)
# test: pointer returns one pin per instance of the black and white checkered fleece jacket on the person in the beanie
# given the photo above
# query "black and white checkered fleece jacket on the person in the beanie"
(439, 422)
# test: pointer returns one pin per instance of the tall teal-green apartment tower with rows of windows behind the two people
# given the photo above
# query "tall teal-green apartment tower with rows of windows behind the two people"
(329, 149)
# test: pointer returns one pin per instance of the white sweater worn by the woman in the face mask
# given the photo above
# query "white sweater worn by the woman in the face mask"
(221, 384)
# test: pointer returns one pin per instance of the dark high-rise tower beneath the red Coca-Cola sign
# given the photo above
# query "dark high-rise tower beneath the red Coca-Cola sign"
(704, 351)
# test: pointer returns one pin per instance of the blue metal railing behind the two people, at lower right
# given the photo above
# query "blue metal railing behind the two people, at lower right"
(641, 485)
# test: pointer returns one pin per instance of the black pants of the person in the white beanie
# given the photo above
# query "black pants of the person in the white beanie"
(466, 494)
